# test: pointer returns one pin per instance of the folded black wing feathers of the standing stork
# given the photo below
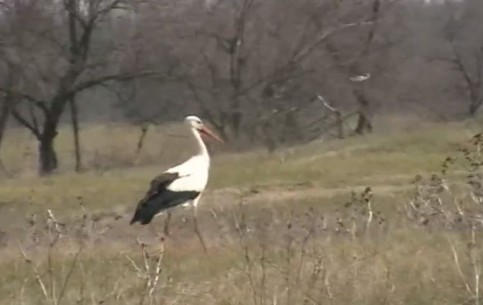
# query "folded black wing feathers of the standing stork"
(159, 198)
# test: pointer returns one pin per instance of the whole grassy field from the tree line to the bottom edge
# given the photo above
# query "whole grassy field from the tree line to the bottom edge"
(295, 227)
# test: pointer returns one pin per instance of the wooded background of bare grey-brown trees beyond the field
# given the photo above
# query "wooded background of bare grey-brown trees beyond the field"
(262, 72)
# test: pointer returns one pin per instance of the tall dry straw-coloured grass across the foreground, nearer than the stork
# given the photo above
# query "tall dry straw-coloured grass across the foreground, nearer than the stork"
(276, 253)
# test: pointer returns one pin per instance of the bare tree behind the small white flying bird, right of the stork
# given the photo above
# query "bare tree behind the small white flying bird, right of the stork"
(365, 60)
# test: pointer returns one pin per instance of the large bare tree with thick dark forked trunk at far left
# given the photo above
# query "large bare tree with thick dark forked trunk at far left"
(64, 64)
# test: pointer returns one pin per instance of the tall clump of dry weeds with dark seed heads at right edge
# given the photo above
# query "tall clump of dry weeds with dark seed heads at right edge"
(439, 205)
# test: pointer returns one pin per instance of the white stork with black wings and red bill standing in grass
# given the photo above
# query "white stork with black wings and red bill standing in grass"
(181, 184)
